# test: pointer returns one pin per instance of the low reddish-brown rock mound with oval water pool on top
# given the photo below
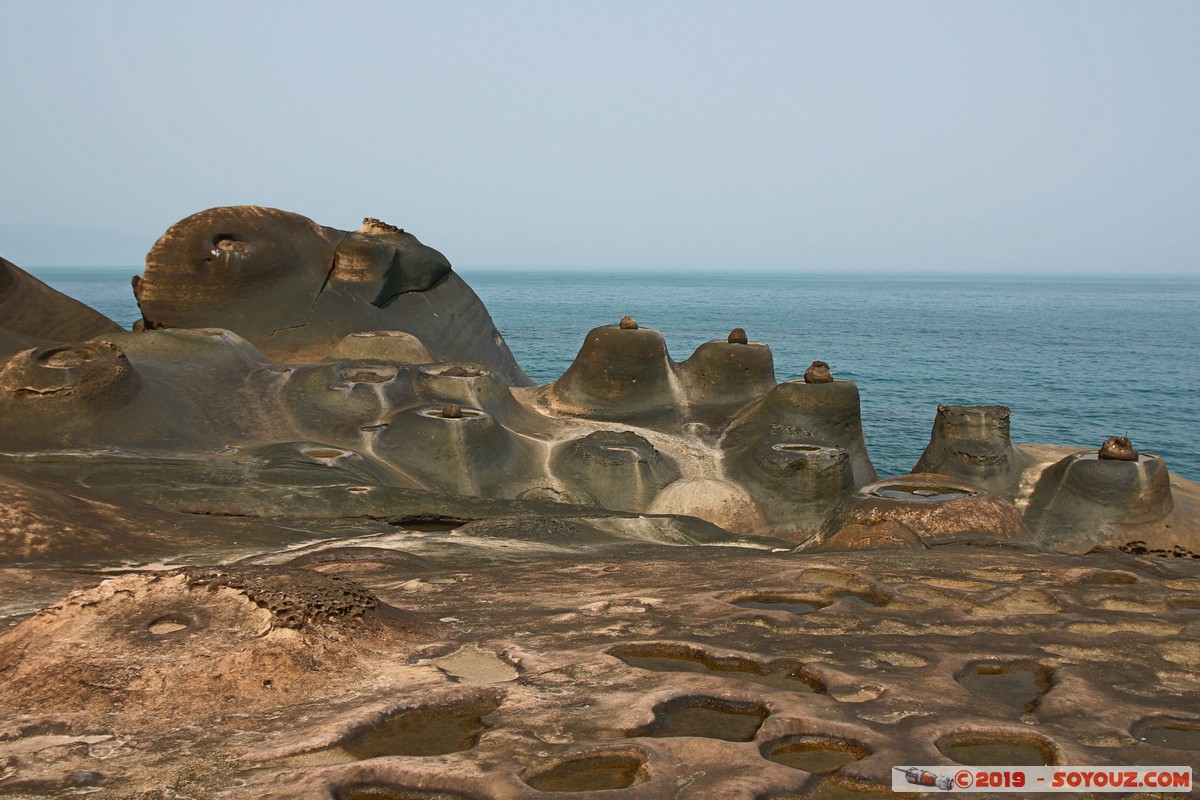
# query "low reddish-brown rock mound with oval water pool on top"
(937, 509)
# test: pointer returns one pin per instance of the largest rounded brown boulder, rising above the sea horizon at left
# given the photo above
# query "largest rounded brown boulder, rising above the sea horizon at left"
(297, 290)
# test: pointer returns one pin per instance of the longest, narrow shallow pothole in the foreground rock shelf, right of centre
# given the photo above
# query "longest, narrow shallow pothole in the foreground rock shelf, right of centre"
(667, 658)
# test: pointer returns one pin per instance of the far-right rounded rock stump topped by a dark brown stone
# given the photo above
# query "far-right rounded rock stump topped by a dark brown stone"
(1089, 500)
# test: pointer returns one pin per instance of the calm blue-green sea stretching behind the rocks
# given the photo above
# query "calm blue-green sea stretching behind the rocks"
(1078, 360)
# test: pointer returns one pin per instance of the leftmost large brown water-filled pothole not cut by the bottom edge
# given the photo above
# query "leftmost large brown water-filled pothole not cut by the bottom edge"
(422, 732)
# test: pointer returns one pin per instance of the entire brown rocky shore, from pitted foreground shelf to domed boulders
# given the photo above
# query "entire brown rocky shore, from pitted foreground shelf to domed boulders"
(310, 534)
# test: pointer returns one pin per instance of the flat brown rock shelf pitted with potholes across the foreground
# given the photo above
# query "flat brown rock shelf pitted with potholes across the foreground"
(665, 672)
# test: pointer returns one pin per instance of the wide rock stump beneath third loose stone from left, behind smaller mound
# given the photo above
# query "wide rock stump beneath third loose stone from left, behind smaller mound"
(827, 416)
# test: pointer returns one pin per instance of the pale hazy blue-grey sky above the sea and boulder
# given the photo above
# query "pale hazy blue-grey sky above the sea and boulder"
(1024, 137)
